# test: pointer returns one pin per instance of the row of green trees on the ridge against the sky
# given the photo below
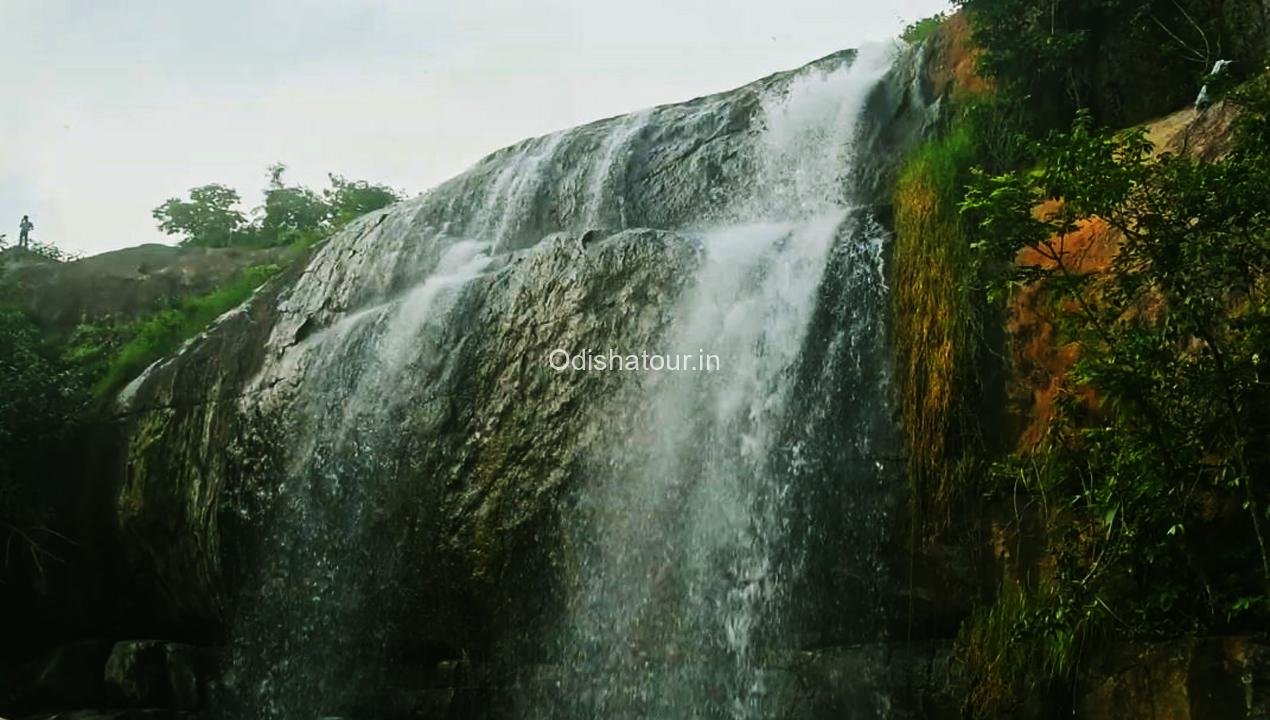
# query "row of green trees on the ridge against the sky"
(290, 215)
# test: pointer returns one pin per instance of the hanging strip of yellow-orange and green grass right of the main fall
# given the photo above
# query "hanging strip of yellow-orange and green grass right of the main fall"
(940, 308)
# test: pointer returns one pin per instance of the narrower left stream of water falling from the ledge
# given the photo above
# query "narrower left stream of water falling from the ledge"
(311, 632)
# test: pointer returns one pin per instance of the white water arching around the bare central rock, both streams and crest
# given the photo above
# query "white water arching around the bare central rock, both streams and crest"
(683, 540)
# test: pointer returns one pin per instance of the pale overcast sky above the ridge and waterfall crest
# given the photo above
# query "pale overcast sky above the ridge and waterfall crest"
(110, 107)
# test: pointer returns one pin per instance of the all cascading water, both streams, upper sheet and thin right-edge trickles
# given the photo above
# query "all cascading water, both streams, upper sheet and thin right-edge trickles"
(693, 530)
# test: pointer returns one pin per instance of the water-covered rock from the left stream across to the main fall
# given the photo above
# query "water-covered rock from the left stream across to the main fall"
(647, 544)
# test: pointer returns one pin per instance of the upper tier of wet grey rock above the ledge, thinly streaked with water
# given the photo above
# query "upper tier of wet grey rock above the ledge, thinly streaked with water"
(681, 167)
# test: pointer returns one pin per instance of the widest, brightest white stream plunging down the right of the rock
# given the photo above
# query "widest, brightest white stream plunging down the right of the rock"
(685, 539)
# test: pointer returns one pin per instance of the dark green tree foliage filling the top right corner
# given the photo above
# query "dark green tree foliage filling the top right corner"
(1125, 60)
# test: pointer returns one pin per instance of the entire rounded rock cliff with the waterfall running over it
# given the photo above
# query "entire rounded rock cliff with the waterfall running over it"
(373, 458)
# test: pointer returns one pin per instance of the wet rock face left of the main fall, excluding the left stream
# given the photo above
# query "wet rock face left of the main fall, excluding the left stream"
(206, 434)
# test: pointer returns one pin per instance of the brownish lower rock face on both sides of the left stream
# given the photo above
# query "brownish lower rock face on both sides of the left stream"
(485, 432)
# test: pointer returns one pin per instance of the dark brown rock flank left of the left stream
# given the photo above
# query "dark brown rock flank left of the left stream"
(184, 443)
